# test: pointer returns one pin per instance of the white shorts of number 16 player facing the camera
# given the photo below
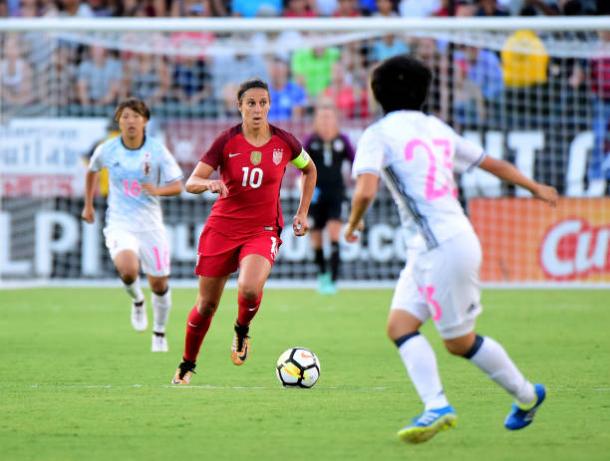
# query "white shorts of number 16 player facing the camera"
(151, 247)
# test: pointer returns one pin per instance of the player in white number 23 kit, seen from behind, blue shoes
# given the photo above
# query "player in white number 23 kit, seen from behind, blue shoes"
(416, 155)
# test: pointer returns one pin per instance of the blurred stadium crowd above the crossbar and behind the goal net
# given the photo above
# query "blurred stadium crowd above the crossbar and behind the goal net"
(474, 87)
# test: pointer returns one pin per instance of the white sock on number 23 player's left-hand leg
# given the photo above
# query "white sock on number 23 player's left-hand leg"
(420, 362)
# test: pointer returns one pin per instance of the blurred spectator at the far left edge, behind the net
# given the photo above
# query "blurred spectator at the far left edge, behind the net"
(15, 75)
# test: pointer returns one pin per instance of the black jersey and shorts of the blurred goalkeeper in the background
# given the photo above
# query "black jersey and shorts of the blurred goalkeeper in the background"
(330, 189)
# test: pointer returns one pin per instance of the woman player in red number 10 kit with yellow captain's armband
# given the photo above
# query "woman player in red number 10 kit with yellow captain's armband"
(244, 226)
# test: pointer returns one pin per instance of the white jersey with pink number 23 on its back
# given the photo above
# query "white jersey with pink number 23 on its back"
(416, 155)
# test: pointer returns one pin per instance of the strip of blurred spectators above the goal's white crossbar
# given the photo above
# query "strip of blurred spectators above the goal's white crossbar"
(294, 8)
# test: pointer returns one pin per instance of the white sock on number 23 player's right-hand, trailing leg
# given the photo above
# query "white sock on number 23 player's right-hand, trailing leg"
(493, 360)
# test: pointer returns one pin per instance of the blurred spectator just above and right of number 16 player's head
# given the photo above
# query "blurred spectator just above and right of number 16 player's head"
(146, 77)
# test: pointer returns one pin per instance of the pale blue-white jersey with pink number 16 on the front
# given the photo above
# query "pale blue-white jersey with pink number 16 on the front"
(129, 206)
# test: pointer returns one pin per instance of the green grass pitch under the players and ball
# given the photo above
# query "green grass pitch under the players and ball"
(78, 384)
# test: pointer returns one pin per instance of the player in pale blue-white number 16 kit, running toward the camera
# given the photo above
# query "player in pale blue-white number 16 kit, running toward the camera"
(140, 170)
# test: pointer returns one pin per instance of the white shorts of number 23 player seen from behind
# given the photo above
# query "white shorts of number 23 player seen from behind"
(443, 284)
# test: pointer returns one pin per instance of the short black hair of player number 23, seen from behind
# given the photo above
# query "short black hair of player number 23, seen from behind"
(401, 83)
